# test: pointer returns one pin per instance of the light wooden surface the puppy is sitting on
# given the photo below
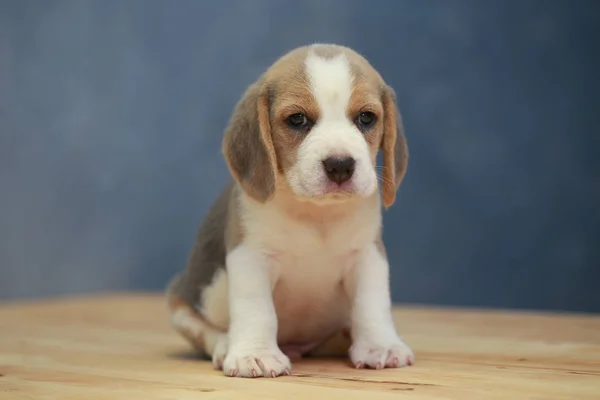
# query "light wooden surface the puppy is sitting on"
(121, 347)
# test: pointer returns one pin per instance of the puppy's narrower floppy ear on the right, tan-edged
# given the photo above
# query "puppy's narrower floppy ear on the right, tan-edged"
(395, 149)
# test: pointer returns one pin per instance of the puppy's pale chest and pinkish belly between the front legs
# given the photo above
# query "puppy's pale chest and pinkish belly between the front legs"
(309, 262)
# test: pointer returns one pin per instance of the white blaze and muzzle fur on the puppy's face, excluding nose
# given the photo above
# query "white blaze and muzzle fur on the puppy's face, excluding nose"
(334, 134)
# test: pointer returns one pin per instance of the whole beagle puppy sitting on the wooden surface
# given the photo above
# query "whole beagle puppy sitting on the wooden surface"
(289, 261)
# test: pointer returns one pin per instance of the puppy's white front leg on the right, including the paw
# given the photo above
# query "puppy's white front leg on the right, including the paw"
(375, 342)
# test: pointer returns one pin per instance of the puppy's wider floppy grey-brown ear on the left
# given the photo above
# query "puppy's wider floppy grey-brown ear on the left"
(248, 144)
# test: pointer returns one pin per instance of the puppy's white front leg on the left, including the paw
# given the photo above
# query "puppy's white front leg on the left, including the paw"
(253, 349)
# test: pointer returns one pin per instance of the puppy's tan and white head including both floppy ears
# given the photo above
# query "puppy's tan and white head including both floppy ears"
(314, 122)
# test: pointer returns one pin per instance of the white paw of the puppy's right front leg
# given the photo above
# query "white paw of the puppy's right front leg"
(364, 354)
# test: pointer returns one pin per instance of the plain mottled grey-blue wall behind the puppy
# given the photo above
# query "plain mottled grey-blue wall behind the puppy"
(111, 116)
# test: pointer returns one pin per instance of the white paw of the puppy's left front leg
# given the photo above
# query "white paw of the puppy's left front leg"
(268, 363)
